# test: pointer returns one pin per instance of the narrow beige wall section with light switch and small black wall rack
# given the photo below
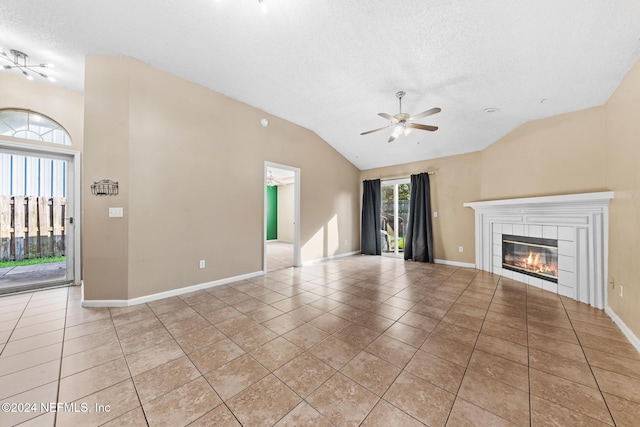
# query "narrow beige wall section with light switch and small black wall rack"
(106, 156)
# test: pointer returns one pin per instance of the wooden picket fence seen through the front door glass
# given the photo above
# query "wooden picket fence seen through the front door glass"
(31, 227)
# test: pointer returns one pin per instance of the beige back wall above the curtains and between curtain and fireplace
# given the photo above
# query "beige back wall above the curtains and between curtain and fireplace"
(455, 181)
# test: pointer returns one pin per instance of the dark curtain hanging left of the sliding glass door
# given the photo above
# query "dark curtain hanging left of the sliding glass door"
(371, 205)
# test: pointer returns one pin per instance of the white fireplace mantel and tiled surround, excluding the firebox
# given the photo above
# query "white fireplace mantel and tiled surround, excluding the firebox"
(578, 221)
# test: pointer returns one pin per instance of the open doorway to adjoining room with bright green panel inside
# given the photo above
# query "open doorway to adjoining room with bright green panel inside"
(281, 217)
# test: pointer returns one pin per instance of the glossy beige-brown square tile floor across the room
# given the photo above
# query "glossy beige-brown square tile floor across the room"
(362, 340)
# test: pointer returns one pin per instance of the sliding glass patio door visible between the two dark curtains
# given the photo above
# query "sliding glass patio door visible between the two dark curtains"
(395, 210)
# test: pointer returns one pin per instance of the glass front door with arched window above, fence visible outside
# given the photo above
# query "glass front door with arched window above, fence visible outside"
(38, 194)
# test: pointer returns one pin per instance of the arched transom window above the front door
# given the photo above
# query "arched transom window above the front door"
(29, 125)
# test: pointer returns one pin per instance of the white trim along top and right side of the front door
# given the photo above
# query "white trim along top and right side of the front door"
(74, 157)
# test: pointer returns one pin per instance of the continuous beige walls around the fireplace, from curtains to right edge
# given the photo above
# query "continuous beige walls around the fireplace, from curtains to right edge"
(585, 151)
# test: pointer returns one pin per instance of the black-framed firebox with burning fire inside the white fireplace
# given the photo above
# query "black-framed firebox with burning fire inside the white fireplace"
(532, 256)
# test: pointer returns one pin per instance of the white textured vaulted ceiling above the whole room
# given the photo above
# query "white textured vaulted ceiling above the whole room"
(332, 65)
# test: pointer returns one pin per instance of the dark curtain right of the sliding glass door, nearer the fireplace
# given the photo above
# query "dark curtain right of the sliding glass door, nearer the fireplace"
(419, 237)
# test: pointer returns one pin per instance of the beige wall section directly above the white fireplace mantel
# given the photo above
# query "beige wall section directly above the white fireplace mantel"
(558, 155)
